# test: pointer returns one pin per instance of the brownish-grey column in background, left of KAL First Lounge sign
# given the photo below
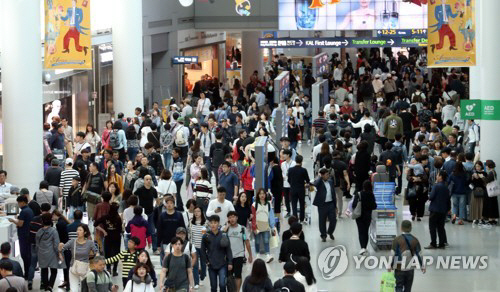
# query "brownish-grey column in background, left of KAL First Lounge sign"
(252, 57)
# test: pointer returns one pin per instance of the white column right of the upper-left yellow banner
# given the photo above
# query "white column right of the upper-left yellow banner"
(128, 88)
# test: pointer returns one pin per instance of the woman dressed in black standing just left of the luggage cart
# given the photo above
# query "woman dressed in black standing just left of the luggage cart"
(368, 204)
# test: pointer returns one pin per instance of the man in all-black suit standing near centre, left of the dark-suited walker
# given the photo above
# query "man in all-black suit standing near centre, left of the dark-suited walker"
(299, 180)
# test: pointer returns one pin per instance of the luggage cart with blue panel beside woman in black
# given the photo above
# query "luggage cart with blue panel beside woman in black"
(383, 228)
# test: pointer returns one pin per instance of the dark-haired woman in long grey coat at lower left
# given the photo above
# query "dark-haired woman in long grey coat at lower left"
(47, 241)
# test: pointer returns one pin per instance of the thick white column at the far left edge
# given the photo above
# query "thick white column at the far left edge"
(22, 93)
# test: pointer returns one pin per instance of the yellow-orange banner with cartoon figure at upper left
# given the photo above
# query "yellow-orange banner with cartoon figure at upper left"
(67, 34)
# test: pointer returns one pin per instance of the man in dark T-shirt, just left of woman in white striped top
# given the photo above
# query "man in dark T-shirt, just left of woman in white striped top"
(167, 224)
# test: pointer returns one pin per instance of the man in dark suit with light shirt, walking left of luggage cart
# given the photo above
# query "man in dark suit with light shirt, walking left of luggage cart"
(326, 202)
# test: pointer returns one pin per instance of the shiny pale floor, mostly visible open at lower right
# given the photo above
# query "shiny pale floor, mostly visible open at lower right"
(464, 241)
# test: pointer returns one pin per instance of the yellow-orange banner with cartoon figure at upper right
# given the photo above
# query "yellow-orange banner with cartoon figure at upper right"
(452, 31)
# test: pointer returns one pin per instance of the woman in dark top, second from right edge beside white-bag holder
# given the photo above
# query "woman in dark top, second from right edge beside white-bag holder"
(478, 193)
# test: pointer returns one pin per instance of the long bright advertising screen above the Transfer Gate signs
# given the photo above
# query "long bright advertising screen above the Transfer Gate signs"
(351, 14)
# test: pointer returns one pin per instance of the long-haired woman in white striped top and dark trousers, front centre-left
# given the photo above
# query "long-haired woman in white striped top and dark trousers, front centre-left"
(198, 229)
